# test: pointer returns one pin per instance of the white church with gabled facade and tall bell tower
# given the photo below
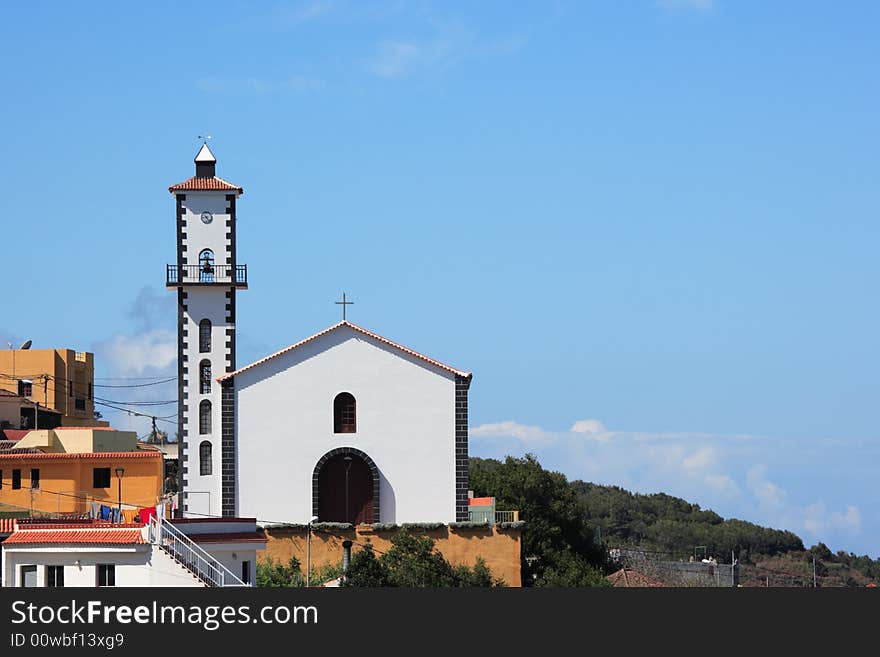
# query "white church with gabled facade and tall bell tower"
(343, 426)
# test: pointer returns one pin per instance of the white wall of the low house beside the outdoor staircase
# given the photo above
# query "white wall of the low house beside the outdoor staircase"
(140, 565)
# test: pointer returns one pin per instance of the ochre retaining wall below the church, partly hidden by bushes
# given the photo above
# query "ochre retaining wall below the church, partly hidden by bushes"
(500, 549)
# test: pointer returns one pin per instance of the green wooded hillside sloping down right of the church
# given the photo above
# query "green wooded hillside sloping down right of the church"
(570, 525)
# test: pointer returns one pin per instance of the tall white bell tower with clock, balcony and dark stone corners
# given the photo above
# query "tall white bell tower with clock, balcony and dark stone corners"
(206, 277)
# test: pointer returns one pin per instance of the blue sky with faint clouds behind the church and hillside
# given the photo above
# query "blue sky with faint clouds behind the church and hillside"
(649, 228)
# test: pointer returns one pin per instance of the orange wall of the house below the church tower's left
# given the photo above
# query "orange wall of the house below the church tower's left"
(66, 482)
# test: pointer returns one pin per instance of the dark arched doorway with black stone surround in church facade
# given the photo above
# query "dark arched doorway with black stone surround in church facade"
(346, 465)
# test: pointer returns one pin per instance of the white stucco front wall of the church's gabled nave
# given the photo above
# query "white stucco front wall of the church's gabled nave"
(405, 423)
